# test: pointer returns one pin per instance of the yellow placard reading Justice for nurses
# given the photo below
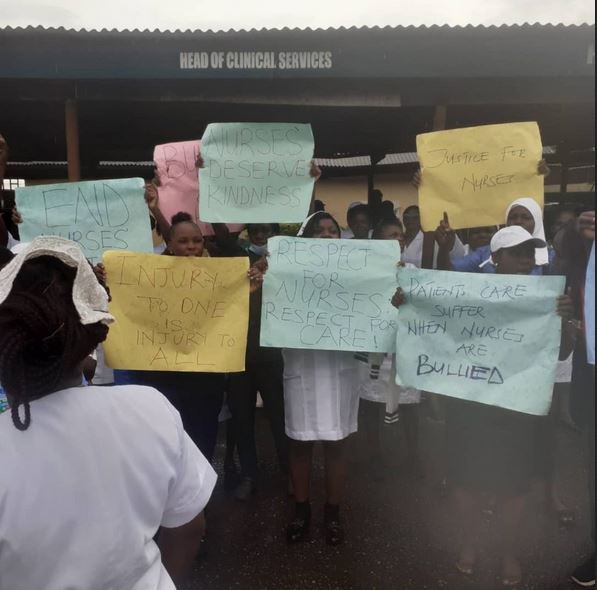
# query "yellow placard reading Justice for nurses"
(474, 174)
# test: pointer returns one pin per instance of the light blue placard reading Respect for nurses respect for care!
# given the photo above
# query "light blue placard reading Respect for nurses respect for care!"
(330, 294)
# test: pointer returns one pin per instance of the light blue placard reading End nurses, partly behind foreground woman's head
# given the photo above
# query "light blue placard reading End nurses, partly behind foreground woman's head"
(99, 215)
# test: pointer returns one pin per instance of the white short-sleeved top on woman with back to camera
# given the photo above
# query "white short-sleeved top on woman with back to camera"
(84, 490)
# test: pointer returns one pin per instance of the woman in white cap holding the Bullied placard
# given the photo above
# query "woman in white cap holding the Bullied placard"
(491, 450)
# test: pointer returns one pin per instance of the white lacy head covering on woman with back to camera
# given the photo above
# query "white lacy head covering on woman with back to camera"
(89, 297)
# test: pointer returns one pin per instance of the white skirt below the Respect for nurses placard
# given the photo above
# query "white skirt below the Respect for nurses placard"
(321, 398)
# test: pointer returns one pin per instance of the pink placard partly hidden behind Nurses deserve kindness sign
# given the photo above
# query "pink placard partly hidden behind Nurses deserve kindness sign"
(179, 183)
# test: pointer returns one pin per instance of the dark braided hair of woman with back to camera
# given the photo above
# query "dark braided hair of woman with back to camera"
(42, 340)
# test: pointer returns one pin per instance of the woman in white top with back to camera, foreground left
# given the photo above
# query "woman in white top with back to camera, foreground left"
(88, 476)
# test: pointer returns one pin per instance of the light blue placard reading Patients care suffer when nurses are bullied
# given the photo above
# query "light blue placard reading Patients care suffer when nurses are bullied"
(493, 339)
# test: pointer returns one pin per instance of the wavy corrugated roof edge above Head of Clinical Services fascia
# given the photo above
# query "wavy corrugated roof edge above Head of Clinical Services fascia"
(433, 28)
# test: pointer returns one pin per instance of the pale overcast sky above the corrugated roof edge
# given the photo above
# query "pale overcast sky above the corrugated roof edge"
(246, 14)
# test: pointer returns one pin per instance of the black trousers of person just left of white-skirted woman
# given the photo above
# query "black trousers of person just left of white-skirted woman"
(267, 379)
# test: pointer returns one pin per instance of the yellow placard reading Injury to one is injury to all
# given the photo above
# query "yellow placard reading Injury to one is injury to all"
(177, 313)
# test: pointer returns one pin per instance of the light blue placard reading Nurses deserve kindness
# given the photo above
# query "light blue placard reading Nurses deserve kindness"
(256, 173)
